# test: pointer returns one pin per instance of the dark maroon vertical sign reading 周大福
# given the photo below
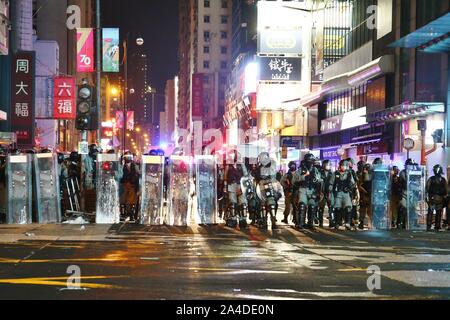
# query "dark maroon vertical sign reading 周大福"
(22, 93)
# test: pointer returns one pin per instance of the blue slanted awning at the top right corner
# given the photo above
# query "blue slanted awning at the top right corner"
(434, 37)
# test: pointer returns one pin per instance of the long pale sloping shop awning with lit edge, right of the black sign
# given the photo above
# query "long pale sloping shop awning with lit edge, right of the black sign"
(380, 66)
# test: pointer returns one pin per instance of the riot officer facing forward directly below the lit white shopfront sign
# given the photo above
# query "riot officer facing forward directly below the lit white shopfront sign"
(342, 186)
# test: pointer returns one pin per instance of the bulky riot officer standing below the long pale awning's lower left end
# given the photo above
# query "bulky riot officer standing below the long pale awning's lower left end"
(308, 180)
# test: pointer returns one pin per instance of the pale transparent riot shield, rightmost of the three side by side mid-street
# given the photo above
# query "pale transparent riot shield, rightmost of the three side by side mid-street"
(206, 190)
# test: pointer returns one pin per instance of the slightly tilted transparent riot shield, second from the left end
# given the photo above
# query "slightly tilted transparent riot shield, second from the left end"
(47, 188)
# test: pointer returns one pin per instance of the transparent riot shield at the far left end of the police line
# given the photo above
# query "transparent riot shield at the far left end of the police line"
(20, 190)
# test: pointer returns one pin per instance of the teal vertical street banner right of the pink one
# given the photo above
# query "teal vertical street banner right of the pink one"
(111, 50)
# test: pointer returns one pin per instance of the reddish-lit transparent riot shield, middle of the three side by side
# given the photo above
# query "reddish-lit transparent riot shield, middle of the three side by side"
(179, 213)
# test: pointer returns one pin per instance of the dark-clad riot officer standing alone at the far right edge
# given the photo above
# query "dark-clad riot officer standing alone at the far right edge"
(437, 192)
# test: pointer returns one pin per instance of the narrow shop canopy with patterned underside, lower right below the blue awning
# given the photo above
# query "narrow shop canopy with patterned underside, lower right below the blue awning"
(407, 111)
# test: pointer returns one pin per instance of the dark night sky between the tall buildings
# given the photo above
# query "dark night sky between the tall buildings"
(157, 22)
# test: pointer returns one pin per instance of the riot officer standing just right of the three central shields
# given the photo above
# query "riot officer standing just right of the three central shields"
(237, 203)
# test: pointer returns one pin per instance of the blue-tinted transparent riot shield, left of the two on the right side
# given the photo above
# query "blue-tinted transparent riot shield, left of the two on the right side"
(381, 191)
